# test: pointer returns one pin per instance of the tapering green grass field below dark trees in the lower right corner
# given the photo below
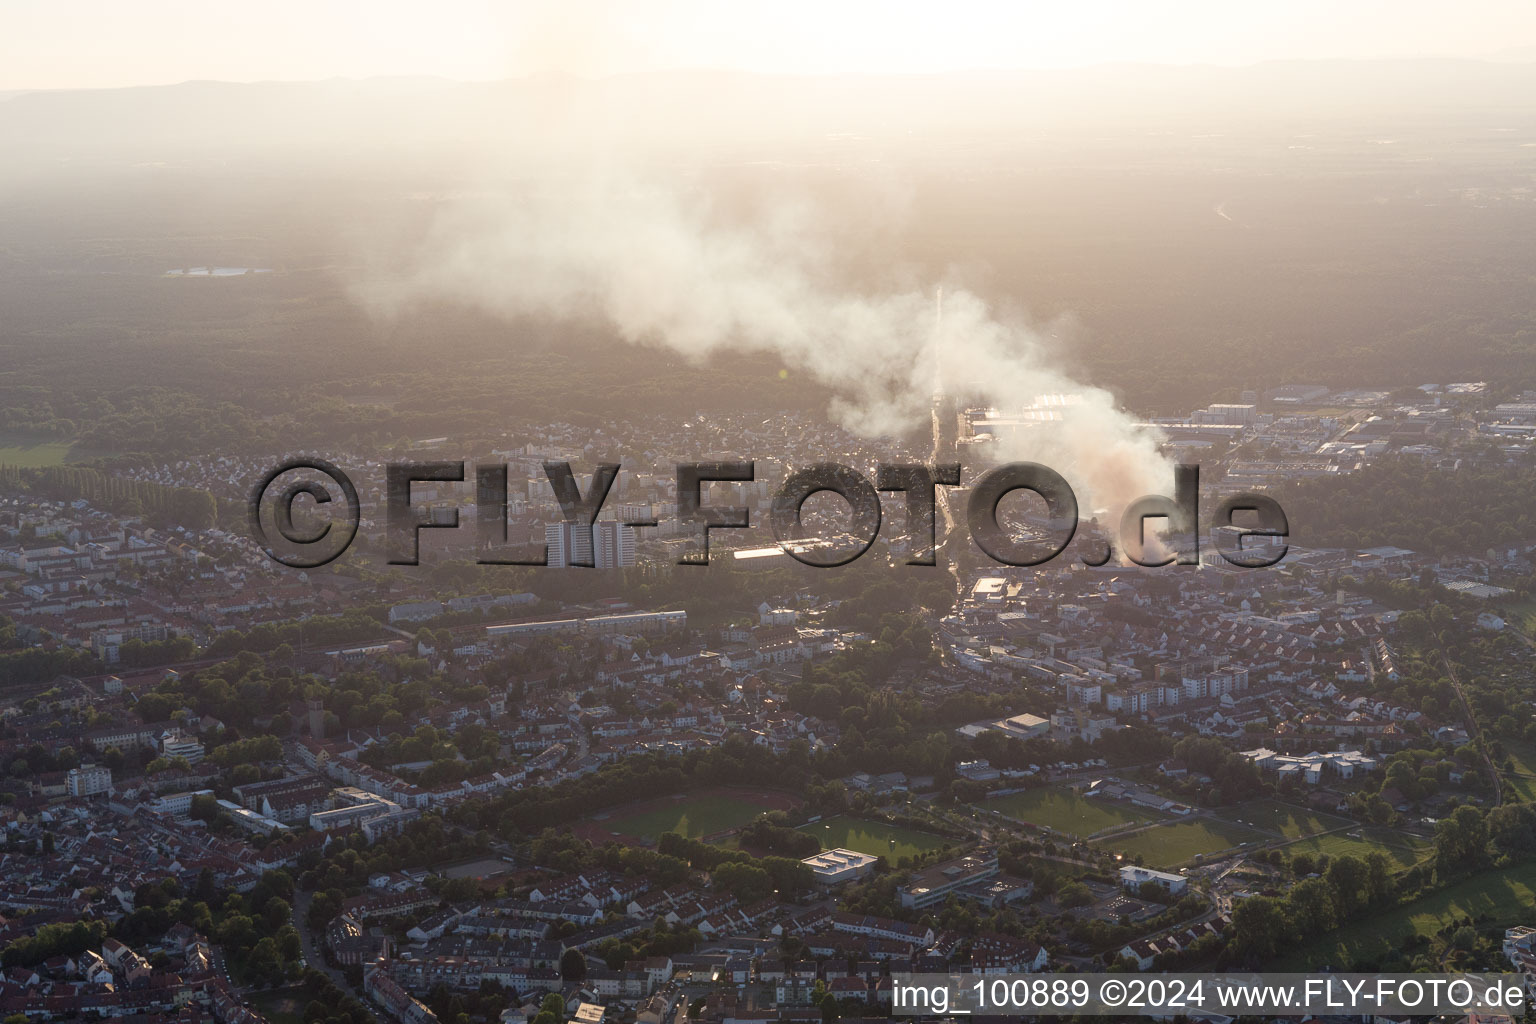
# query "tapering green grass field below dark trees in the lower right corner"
(1503, 896)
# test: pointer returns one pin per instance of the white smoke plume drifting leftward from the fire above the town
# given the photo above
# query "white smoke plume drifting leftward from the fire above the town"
(661, 266)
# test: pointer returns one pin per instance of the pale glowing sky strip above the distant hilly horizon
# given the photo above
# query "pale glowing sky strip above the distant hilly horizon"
(94, 44)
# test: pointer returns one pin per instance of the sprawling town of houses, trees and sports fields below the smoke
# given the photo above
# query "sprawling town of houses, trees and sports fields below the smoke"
(753, 790)
